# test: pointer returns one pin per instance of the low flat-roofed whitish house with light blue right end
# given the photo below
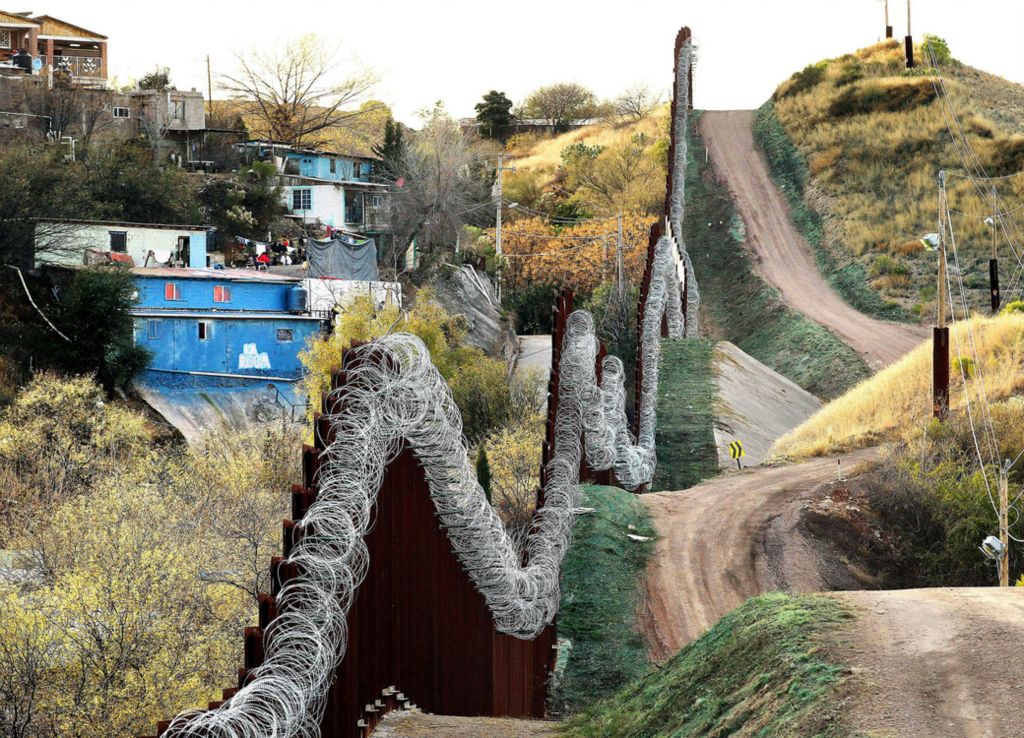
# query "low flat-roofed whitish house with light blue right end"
(73, 243)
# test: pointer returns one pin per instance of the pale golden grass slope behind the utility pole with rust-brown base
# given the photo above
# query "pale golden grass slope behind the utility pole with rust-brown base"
(900, 399)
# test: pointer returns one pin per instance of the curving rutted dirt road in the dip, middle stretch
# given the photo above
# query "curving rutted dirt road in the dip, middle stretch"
(712, 553)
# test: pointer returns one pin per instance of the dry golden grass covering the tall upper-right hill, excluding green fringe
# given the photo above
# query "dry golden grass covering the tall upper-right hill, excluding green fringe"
(874, 173)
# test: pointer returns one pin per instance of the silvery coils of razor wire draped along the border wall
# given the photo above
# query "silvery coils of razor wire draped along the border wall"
(394, 395)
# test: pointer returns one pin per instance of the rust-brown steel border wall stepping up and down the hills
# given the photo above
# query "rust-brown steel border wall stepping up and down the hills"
(419, 632)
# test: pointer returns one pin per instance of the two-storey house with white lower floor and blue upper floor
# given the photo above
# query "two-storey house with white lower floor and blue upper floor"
(327, 189)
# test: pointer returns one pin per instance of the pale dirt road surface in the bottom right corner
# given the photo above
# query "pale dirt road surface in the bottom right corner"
(935, 664)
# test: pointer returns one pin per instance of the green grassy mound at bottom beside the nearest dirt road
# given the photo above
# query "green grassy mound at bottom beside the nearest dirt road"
(760, 672)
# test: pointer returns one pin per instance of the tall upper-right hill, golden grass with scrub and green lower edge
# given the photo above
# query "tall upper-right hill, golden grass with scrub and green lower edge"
(859, 141)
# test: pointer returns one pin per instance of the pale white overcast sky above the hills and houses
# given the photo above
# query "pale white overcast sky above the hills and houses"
(456, 51)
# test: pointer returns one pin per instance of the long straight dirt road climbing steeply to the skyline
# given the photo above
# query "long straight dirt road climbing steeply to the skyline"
(785, 258)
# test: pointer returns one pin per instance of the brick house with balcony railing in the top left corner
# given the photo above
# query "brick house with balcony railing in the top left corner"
(55, 46)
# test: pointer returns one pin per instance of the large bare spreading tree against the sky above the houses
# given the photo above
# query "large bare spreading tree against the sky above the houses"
(291, 93)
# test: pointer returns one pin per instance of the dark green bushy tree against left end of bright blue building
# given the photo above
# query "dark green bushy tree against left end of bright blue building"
(96, 315)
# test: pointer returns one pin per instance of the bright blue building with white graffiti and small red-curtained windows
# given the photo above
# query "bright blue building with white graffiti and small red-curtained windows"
(225, 346)
